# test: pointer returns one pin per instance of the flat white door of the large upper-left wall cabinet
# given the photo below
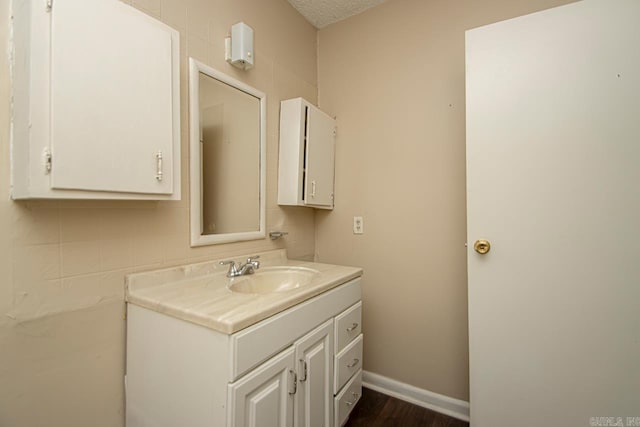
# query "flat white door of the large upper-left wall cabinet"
(112, 118)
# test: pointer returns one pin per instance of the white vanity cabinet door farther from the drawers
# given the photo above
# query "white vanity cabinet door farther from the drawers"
(265, 396)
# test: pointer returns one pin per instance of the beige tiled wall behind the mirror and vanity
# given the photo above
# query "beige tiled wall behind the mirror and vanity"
(62, 263)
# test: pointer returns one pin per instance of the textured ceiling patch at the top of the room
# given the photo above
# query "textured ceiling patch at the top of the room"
(325, 12)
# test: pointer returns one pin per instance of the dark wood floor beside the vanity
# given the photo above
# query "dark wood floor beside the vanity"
(379, 410)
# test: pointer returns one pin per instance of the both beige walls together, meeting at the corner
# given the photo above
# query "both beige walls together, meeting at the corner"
(394, 76)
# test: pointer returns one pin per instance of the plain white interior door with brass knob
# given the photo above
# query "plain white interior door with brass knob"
(553, 182)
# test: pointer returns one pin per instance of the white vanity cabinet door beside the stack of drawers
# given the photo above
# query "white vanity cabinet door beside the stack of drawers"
(314, 359)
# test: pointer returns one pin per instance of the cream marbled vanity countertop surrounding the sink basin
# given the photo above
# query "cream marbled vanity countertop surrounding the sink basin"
(199, 293)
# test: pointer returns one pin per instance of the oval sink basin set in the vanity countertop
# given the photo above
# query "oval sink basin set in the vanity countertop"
(273, 279)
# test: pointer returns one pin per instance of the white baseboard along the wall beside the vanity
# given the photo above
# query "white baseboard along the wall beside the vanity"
(427, 399)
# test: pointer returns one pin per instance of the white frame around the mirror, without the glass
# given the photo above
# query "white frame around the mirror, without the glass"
(195, 158)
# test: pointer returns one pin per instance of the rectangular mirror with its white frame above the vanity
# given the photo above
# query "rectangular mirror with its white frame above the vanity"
(227, 135)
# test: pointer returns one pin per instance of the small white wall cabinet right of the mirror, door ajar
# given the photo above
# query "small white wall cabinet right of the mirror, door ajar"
(307, 155)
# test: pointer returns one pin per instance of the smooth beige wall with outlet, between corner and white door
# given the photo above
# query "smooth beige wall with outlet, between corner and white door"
(394, 76)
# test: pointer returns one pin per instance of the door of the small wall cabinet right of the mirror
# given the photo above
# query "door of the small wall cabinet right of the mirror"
(320, 158)
